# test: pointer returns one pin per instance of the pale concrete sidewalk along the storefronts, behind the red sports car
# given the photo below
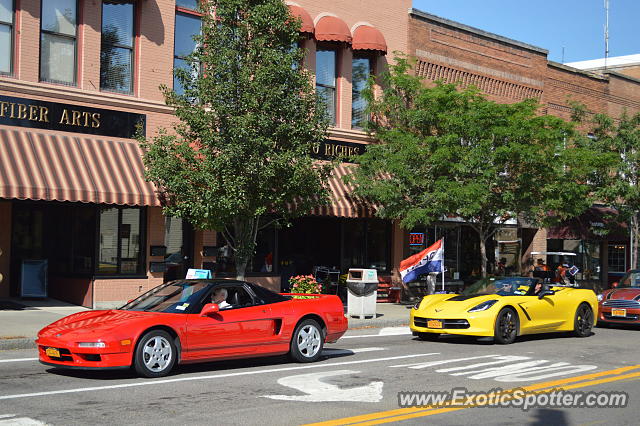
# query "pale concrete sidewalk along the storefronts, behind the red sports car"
(20, 320)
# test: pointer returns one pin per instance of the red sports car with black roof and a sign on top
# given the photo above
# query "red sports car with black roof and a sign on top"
(176, 323)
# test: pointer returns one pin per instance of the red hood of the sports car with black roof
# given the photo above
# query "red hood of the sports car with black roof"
(93, 323)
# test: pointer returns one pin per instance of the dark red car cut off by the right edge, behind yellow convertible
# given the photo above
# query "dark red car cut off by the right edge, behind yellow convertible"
(621, 304)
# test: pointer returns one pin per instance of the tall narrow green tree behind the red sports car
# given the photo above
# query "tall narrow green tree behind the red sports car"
(239, 154)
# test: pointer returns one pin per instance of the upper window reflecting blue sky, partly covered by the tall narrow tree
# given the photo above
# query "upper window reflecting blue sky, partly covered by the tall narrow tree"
(188, 25)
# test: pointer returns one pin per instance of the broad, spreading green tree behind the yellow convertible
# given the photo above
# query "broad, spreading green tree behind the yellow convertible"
(446, 150)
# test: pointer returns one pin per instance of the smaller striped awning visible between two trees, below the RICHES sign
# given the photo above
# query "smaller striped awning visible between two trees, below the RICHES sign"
(343, 203)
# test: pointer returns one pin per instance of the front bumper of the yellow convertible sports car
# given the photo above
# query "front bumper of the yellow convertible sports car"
(480, 324)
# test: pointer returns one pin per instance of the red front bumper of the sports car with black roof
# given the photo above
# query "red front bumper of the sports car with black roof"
(72, 356)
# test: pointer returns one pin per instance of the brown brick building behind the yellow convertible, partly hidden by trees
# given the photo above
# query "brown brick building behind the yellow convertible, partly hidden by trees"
(510, 71)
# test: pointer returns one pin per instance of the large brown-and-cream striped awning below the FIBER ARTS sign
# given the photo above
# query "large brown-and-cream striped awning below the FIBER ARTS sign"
(45, 166)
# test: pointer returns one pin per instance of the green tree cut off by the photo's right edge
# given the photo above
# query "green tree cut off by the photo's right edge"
(619, 185)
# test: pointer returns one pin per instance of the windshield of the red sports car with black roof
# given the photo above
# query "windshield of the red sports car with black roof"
(175, 296)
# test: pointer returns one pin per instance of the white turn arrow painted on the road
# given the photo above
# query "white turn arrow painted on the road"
(318, 391)
